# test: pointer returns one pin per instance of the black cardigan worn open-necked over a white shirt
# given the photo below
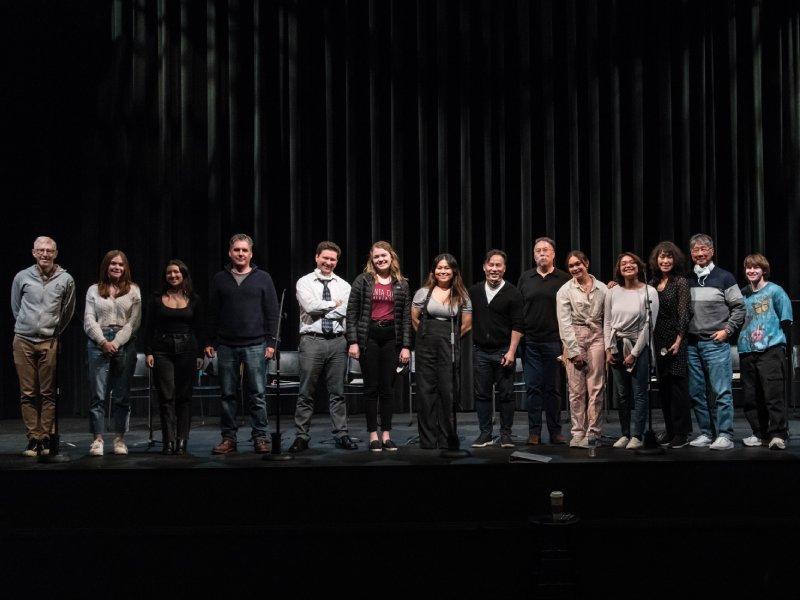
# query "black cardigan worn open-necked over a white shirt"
(493, 322)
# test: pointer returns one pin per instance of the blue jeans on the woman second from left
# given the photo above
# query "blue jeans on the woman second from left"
(110, 374)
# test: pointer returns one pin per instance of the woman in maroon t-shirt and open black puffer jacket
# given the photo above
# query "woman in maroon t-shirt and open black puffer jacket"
(379, 335)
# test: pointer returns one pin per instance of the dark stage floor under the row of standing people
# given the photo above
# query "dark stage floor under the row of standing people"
(322, 452)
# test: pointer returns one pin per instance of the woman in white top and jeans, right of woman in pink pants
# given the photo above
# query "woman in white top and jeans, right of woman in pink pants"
(626, 332)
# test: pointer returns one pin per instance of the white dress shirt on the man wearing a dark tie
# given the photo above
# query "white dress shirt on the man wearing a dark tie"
(313, 308)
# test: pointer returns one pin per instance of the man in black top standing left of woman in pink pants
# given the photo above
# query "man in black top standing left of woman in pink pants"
(541, 368)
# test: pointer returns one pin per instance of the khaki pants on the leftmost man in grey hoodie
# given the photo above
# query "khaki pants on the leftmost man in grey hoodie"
(36, 369)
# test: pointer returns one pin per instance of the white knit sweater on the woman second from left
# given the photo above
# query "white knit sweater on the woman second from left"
(122, 311)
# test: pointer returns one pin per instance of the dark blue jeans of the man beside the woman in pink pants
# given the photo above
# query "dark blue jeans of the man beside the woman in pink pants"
(541, 372)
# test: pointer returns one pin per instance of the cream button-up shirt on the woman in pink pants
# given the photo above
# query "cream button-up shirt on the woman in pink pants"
(576, 307)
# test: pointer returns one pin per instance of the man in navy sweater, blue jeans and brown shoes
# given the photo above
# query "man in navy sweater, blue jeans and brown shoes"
(243, 322)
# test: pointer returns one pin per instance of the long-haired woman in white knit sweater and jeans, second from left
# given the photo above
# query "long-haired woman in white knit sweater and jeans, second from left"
(112, 317)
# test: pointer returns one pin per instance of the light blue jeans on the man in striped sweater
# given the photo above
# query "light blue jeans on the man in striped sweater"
(710, 369)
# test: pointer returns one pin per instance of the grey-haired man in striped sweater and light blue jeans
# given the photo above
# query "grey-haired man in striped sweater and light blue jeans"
(718, 311)
